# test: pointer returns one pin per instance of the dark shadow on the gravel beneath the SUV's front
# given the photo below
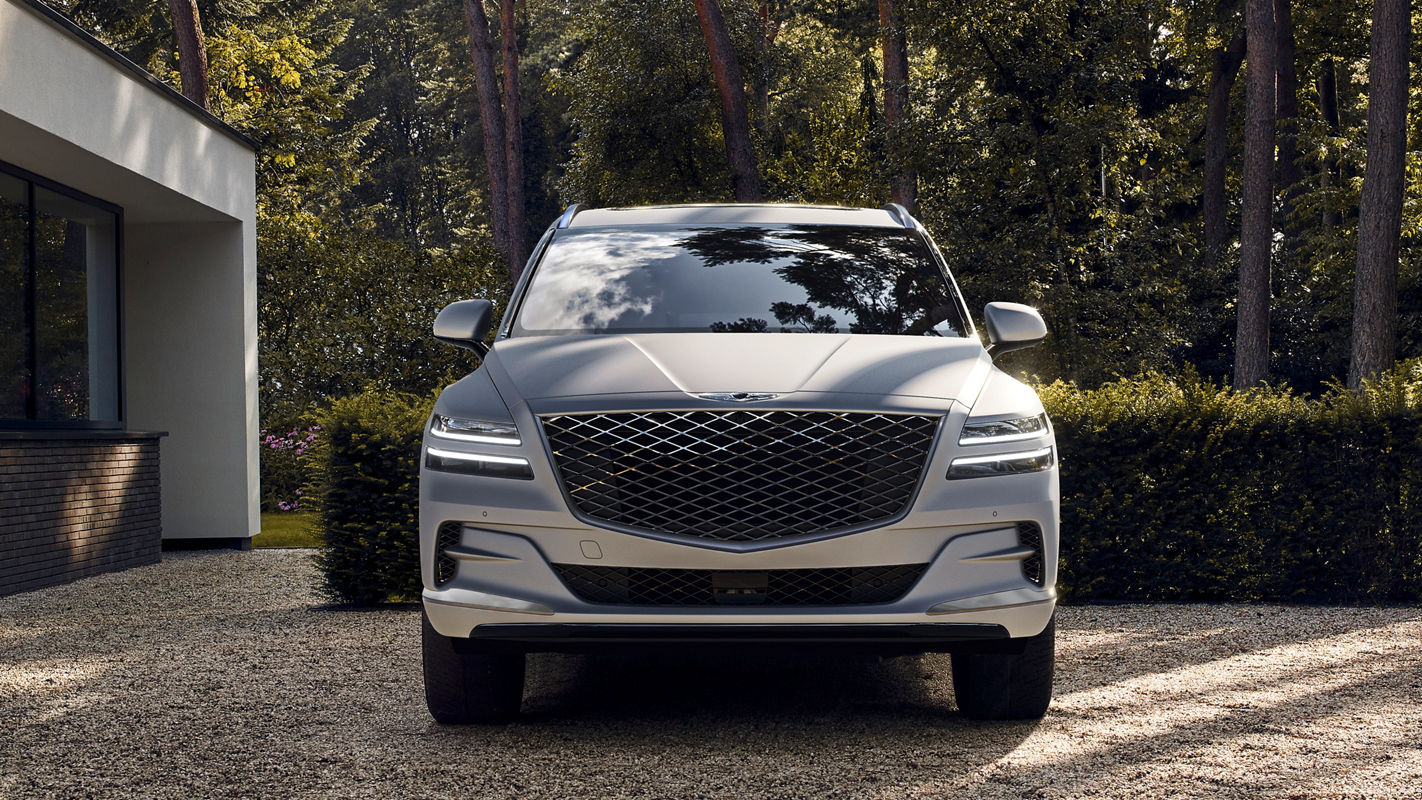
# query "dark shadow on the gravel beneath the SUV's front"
(797, 715)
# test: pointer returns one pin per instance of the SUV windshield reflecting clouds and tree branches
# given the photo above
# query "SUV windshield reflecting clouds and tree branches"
(747, 279)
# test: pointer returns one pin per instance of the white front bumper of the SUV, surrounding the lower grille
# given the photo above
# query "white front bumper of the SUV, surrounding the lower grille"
(515, 532)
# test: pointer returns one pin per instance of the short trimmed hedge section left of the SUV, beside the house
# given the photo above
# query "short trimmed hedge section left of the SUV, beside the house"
(366, 491)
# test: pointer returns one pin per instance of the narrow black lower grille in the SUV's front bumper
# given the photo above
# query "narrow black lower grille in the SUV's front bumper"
(835, 586)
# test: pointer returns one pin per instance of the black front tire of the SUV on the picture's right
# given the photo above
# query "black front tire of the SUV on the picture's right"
(1007, 687)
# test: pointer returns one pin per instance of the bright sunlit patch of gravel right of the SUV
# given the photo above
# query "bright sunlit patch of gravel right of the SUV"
(1350, 701)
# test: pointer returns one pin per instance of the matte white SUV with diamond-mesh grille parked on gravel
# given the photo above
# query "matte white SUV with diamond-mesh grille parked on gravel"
(646, 458)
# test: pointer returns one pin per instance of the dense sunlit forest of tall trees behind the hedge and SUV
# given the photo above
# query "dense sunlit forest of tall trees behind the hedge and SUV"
(1087, 157)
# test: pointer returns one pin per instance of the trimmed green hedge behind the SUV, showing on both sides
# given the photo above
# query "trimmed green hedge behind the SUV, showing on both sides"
(1172, 490)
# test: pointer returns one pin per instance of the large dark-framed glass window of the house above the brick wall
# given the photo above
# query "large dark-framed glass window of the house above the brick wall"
(59, 306)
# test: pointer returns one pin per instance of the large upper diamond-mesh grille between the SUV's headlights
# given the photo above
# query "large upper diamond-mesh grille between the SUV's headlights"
(740, 475)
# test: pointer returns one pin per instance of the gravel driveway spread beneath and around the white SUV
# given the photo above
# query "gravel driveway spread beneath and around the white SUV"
(218, 676)
